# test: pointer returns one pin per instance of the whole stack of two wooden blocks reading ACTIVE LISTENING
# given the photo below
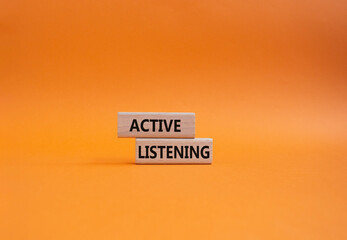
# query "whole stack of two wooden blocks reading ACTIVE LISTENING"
(165, 138)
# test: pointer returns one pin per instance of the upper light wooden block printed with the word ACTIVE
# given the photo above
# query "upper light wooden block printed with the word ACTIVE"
(156, 125)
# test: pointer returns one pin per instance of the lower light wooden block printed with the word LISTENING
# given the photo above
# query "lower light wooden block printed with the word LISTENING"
(174, 151)
